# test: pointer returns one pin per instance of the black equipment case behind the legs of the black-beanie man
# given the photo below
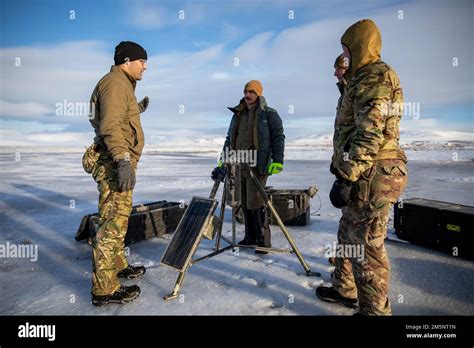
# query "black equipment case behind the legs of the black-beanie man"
(146, 221)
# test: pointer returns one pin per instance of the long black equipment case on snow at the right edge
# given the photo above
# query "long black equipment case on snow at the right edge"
(443, 226)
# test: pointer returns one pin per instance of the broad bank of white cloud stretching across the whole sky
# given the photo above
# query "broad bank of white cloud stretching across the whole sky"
(295, 66)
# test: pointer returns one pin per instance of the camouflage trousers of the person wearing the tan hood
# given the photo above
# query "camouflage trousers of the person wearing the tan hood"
(363, 227)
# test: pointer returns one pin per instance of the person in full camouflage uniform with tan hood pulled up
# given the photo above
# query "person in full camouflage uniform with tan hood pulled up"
(367, 155)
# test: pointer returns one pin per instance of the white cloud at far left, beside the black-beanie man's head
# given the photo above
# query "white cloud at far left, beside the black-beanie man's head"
(51, 74)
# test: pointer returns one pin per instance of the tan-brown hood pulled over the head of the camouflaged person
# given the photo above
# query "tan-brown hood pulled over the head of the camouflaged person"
(364, 42)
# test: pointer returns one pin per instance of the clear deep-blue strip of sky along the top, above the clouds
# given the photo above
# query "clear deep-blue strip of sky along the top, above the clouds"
(156, 24)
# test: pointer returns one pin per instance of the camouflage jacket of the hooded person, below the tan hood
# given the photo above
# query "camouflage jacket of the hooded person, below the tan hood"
(367, 122)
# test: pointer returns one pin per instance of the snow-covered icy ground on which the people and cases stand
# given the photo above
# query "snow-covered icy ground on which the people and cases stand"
(45, 194)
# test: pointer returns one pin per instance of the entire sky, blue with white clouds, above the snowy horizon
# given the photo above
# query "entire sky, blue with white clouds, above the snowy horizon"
(191, 62)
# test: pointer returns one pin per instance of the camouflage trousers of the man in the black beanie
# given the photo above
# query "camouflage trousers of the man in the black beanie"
(108, 245)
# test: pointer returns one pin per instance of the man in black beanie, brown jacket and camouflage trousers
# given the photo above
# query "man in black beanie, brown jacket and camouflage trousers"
(112, 161)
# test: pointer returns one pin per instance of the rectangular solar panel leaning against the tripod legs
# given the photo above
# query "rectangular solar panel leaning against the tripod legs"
(188, 233)
